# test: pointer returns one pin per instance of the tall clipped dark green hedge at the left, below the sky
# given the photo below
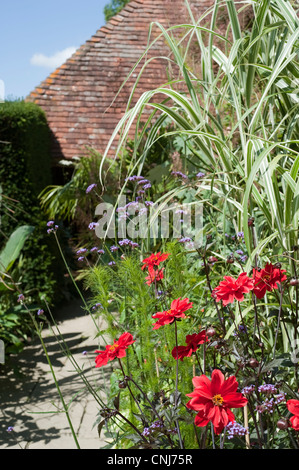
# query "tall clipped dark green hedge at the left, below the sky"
(25, 170)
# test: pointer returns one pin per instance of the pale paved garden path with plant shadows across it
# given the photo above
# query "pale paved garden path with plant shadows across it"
(29, 398)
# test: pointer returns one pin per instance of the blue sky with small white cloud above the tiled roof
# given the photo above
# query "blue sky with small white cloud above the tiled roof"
(37, 36)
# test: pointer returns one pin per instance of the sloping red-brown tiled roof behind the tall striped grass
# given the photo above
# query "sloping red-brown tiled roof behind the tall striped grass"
(78, 97)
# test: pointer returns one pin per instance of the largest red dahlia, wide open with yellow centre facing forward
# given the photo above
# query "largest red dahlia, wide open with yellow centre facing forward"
(213, 399)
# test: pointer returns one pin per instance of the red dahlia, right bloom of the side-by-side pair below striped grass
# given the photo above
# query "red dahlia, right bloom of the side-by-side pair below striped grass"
(266, 279)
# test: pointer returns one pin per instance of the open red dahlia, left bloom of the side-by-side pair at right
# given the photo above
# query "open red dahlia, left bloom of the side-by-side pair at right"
(231, 289)
